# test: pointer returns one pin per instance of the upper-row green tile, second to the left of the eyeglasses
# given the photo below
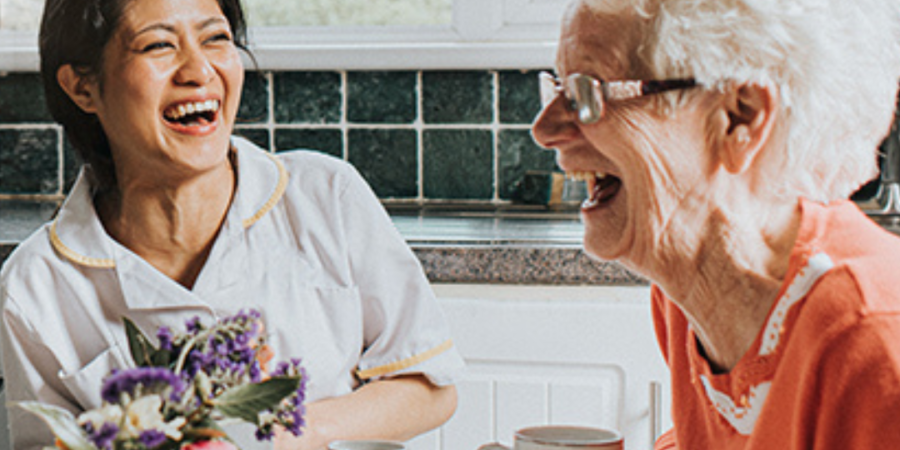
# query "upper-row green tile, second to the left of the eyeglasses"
(457, 97)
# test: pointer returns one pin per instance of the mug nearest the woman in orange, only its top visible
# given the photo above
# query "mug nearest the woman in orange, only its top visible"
(562, 437)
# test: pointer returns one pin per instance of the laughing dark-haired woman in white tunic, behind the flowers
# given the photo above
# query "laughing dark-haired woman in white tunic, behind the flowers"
(173, 218)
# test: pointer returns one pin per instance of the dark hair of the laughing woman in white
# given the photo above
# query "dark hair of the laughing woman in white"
(76, 32)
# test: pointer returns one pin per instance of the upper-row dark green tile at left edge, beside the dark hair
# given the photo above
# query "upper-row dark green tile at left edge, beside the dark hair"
(22, 99)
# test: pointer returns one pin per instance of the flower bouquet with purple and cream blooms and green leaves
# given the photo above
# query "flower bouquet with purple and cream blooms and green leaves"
(183, 390)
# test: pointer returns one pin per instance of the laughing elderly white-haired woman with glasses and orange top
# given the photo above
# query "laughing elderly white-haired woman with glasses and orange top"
(723, 176)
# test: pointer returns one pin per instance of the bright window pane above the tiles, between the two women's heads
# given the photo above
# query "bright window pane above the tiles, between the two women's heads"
(348, 12)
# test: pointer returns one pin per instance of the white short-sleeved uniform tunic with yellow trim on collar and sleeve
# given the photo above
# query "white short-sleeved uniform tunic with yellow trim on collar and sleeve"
(305, 242)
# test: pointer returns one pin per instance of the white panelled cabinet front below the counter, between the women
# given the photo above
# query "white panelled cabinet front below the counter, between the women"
(551, 355)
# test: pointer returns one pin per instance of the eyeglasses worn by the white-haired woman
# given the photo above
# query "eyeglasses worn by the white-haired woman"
(588, 96)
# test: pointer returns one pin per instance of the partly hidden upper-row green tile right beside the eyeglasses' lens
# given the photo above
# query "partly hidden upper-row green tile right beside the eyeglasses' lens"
(519, 96)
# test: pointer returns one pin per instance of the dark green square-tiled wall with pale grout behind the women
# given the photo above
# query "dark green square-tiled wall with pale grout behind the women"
(414, 135)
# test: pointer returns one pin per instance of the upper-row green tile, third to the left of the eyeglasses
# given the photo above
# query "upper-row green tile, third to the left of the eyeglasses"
(381, 97)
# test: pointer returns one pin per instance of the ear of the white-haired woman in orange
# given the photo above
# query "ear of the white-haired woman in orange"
(749, 114)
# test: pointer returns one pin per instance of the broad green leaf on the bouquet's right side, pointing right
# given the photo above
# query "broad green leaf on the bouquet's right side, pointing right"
(246, 402)
